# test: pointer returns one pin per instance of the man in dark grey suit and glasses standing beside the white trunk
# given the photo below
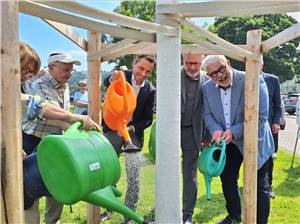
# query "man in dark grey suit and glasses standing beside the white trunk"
(191, 129)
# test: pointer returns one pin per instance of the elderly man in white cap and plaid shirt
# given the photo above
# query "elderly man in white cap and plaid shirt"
(51, 86)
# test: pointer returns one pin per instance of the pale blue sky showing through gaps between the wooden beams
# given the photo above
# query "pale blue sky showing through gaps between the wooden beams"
(45, 39)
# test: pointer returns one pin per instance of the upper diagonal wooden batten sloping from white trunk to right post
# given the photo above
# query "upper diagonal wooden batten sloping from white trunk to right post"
(214, 38)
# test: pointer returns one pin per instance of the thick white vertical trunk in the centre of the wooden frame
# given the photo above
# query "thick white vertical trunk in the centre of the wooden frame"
(167, 185)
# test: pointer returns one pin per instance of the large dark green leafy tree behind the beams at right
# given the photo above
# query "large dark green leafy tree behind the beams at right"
(282, 61)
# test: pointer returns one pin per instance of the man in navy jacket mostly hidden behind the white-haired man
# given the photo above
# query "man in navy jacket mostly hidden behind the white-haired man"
(275, 112)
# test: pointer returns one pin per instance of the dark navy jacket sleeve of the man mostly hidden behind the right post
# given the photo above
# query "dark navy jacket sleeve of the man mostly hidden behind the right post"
(277, 106)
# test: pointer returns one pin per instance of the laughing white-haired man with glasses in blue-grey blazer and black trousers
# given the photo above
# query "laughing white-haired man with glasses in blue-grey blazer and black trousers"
(223, 98)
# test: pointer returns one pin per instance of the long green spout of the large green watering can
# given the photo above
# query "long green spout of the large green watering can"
(107, 198)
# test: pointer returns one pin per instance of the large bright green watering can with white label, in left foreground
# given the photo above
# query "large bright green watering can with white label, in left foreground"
(82, 165)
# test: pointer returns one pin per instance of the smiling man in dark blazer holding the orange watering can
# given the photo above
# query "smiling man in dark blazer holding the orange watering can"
(141, 119)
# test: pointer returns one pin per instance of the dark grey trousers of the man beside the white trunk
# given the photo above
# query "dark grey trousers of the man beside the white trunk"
(190, 155)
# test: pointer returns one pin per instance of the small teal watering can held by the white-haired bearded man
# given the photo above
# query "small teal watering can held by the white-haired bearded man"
(211, 163)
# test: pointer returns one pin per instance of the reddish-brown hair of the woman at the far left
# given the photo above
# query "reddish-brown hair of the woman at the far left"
(28, 54)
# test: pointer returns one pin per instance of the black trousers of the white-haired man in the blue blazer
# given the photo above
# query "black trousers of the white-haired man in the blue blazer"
(229, 179)
